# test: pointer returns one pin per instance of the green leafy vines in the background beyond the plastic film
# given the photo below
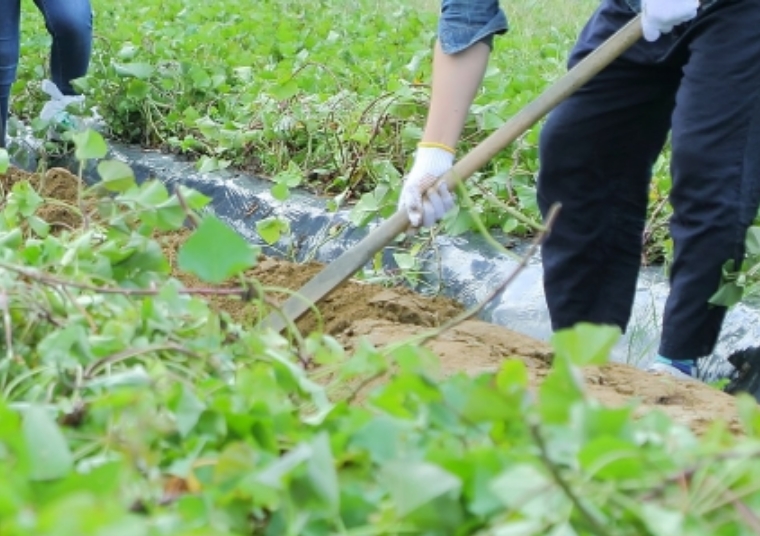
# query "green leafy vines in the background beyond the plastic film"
(300, 105)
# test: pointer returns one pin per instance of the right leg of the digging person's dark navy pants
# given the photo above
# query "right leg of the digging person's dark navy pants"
(716, 171)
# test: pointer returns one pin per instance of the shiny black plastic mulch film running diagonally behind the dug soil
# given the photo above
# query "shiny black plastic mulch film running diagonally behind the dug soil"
(465, 268)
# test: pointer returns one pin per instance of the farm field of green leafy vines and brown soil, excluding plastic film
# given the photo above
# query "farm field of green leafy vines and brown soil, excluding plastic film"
(140, 396)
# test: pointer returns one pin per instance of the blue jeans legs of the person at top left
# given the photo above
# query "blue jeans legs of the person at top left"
(69, 23)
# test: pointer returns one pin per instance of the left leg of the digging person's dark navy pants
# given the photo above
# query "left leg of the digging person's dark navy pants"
(597, 150)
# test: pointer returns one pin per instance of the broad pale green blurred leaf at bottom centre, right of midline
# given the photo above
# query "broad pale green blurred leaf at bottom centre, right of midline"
(414, 484)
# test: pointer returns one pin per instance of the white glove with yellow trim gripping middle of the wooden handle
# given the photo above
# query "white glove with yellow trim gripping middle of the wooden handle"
(429, 164)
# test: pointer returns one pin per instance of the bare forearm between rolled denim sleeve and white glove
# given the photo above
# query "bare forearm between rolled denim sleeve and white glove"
(456, 80)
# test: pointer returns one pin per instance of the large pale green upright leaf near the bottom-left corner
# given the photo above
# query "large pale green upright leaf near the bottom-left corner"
(48, 451)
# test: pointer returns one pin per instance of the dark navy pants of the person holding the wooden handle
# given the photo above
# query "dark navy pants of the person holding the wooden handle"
(701, 84)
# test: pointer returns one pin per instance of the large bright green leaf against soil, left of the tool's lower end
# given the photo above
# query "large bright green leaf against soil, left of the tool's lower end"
(214, 252)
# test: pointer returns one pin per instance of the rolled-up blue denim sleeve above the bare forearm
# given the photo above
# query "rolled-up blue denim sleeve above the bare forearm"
(466, 22)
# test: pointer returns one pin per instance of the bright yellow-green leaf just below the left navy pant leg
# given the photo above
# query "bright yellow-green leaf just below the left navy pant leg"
(586, 344)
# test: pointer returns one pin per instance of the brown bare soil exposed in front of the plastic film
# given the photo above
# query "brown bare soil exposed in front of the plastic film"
(382, 315)
